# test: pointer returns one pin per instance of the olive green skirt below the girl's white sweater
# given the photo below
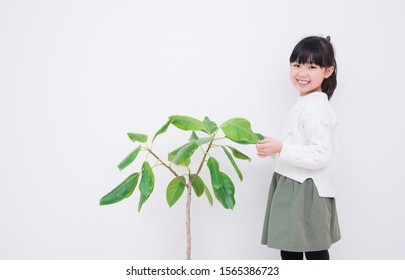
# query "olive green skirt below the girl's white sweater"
(297, 219)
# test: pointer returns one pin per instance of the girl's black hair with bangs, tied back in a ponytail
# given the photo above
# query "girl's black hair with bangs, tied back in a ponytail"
(319, 51)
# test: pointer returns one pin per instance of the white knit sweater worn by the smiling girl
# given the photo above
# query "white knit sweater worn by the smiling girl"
(309, 143)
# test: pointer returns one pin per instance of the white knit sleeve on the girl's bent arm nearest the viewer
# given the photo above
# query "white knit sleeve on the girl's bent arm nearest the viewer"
(315, 149)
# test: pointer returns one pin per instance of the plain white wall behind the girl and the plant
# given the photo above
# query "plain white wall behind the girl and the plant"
(75, 76)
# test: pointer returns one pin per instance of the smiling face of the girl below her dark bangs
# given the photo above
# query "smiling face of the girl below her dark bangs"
(308, 77)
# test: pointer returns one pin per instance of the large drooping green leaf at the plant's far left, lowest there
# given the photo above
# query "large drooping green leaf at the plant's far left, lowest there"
(123, 190)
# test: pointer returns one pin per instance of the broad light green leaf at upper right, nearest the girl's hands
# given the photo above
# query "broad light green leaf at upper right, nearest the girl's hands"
(239, 130)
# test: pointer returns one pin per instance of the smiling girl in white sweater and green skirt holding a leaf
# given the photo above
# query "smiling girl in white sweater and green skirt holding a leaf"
(301, 212)
